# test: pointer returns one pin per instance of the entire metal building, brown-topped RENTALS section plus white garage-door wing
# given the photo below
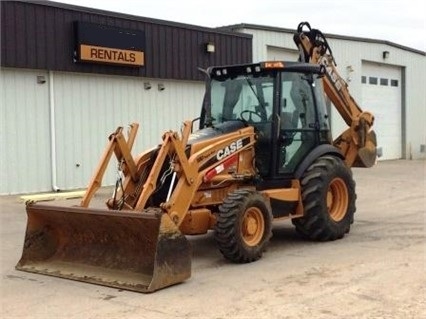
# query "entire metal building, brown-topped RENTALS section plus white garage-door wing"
(70, 75)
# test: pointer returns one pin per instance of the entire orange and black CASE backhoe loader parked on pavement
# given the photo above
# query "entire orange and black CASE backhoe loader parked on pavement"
(263, 151)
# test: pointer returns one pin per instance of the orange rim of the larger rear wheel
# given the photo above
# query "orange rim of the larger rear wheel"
(337, 199)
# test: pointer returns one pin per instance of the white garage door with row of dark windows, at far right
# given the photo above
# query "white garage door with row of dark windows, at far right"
(381, 95)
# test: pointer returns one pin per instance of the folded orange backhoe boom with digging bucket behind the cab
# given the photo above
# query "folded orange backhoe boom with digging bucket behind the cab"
(358, 142)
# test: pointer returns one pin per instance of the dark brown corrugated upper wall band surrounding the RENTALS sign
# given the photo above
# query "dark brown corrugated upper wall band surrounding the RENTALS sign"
(40, 35)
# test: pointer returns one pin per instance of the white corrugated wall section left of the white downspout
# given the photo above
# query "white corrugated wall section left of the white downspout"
(24, 134)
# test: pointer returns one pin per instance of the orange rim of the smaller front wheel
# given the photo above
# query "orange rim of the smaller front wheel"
(253, 226)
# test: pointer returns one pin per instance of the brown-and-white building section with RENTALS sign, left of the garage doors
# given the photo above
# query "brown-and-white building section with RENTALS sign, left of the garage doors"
(70, 75)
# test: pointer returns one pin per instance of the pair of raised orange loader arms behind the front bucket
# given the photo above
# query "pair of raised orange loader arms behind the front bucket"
(140, 173)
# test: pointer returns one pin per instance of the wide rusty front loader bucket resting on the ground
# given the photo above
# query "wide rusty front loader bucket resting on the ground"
(139, 251)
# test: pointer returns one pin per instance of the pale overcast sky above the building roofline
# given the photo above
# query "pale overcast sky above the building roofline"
(398, 21)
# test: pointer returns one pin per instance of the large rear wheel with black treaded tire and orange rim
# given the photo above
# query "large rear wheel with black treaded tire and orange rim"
(328, 195)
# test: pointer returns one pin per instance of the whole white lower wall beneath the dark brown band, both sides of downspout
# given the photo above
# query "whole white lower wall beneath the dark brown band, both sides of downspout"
(87, 109)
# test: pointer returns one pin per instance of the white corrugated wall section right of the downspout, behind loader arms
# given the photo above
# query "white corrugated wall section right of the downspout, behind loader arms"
(88, 108)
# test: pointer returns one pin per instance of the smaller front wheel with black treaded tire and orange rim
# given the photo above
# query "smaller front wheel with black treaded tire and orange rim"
(243, 226)
